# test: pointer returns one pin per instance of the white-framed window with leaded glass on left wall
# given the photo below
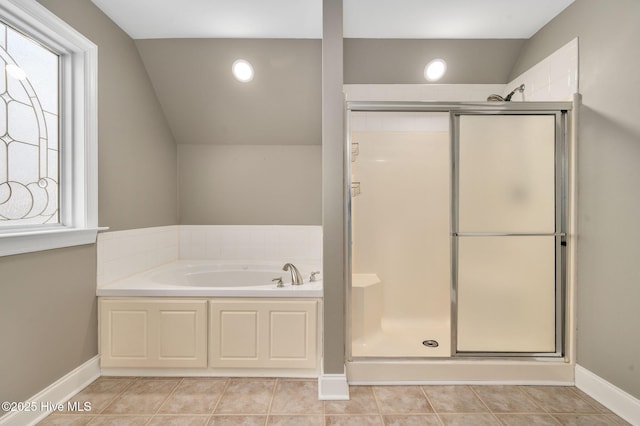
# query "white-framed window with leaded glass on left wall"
(48, 131)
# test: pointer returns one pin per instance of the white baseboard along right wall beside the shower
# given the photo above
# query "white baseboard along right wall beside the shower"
(612, 397)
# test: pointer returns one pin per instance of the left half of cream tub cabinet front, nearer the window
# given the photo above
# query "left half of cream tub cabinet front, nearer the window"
(161, 332)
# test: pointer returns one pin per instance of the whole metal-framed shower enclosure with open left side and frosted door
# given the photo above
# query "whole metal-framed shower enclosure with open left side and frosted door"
(457, 226)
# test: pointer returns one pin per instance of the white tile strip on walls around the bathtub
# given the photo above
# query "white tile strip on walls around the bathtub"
(125, 253)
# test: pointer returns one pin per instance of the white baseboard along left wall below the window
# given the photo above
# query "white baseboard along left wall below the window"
(56, 393)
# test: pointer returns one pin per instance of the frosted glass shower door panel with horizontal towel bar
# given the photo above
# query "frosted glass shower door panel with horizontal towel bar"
(507, 233)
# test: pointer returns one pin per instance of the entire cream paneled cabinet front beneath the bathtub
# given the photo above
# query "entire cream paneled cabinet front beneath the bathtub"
(215, 333)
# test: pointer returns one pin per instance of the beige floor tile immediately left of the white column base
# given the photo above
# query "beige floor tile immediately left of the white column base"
(296, 397)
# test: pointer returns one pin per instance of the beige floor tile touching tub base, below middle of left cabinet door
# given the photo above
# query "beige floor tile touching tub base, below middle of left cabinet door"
(144, 396)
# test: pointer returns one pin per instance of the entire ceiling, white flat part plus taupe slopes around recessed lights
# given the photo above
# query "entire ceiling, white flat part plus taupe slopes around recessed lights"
(188, 47)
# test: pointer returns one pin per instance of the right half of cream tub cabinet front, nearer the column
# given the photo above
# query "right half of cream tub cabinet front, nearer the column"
(250, 333)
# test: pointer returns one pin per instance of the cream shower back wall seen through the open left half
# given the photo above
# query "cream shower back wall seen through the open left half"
(400, 220)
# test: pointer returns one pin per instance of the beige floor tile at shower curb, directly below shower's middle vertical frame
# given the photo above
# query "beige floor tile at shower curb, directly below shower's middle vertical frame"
(454, 399)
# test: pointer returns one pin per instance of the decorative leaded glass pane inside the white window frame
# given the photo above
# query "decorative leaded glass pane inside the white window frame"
(29, 115)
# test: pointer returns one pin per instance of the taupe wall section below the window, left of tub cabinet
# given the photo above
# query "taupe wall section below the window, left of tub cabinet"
(48, 318)
